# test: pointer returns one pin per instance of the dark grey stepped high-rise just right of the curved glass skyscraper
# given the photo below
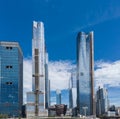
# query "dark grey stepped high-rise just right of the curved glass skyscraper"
(102, 102)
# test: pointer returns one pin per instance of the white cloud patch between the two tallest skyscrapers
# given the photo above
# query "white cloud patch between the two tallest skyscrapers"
(59, 74)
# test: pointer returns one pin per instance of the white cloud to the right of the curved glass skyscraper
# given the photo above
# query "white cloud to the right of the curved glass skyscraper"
(107, 73)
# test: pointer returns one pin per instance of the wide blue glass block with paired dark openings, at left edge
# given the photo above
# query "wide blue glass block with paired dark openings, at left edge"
(11, 79)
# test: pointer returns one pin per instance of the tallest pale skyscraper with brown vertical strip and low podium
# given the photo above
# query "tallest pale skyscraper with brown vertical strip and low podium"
(36, 100)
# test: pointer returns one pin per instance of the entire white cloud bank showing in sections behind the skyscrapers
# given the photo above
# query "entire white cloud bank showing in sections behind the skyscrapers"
(59, 73)
